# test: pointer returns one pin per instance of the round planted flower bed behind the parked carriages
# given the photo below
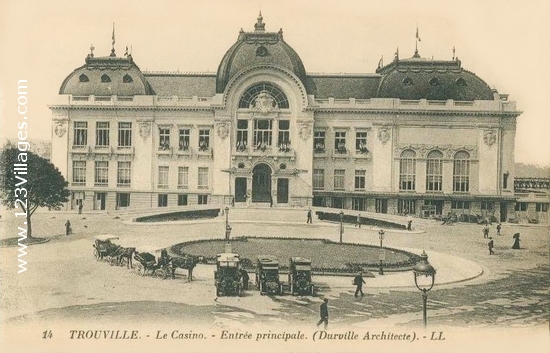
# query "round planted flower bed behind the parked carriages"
(327, 257)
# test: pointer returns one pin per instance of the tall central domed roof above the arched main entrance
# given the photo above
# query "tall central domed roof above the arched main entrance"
(256, 48)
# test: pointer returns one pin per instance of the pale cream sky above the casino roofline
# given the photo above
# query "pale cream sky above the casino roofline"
(506, 43)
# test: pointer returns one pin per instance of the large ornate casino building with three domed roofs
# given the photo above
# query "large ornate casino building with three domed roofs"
(419, 136)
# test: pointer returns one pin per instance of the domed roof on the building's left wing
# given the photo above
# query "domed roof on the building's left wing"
(106, 76)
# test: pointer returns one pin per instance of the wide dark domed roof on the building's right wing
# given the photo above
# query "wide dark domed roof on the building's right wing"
(417, 78)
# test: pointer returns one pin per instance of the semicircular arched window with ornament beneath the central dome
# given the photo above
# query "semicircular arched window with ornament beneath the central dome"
(264, 95)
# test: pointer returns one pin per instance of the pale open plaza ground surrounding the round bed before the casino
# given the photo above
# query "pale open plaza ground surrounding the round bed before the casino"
(64, 283)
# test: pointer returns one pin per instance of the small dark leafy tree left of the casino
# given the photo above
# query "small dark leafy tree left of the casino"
(41, 186)
